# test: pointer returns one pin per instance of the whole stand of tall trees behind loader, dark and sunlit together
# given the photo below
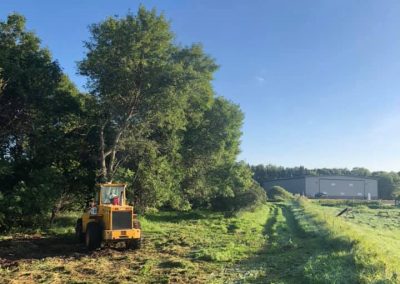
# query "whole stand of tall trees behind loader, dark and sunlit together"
(150, 118)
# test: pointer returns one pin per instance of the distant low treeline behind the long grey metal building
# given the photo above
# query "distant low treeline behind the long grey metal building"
(388, 182)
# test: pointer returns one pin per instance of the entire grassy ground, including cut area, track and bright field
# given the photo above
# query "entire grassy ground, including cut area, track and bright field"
(298, 241)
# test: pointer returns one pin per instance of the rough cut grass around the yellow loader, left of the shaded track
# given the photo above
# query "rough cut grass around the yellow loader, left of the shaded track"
(194, 247)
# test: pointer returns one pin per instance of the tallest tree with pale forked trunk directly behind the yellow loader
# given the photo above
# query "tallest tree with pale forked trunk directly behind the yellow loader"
(134, 79)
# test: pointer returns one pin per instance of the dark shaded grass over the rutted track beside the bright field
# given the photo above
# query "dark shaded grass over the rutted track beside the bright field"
(295, 255)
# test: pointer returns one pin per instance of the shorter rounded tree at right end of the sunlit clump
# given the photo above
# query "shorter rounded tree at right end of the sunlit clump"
(209, 151)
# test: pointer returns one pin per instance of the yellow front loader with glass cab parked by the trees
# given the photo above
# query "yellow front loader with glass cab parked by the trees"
(109, 220)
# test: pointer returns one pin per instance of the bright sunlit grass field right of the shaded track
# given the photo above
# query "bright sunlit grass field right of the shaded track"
(373, 231)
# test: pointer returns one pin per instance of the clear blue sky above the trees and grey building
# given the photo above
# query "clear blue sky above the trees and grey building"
(318, 81)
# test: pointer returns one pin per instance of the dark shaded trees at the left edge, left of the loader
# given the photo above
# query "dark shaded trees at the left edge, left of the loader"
(41, 129)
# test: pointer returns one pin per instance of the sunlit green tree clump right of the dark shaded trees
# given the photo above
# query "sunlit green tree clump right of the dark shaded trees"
(158, 117)
